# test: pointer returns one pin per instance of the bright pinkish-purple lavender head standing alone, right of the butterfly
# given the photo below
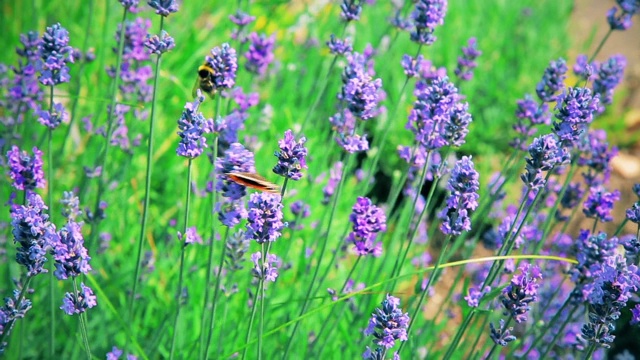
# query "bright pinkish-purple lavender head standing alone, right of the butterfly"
(368, 220)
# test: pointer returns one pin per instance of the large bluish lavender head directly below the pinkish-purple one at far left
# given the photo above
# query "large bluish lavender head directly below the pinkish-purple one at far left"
(32, 231)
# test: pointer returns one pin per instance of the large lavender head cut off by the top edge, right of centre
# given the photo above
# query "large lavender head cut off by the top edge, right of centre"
(426, 16)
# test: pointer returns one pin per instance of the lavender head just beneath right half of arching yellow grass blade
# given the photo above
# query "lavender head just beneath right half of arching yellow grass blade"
(521, 292)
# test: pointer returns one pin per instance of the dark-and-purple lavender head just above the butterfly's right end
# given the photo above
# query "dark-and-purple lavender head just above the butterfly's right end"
(291, 157)
